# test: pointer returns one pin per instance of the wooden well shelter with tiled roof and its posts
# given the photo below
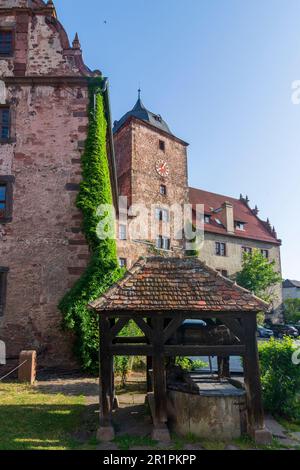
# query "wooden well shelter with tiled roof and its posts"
(159, 295)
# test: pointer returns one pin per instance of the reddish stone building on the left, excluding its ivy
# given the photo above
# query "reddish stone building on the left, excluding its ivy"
(43, 119)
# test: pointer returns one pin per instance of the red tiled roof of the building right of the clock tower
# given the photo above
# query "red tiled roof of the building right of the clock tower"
(255, 229)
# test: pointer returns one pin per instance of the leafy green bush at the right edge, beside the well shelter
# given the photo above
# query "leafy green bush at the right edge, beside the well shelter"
(280, 377)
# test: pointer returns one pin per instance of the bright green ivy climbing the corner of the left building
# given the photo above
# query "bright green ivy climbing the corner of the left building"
(103, 269)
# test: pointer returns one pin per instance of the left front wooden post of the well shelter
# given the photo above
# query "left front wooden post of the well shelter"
(105, 432)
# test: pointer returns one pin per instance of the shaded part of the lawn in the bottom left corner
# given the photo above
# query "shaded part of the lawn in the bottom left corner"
(39, 427)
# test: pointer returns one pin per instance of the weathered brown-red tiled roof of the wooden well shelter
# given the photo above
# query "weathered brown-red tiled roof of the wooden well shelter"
(164, 284)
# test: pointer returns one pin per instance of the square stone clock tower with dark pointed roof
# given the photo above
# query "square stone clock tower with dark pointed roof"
(152, 171)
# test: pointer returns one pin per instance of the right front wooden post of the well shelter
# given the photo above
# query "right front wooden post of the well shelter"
(256, 424)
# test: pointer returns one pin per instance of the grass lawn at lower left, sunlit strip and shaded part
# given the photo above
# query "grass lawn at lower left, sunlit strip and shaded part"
(36, 421)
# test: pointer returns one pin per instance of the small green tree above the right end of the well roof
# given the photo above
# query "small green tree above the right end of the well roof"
(258, 275)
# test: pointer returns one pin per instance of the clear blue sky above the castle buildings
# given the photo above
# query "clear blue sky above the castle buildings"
(220, 73)
